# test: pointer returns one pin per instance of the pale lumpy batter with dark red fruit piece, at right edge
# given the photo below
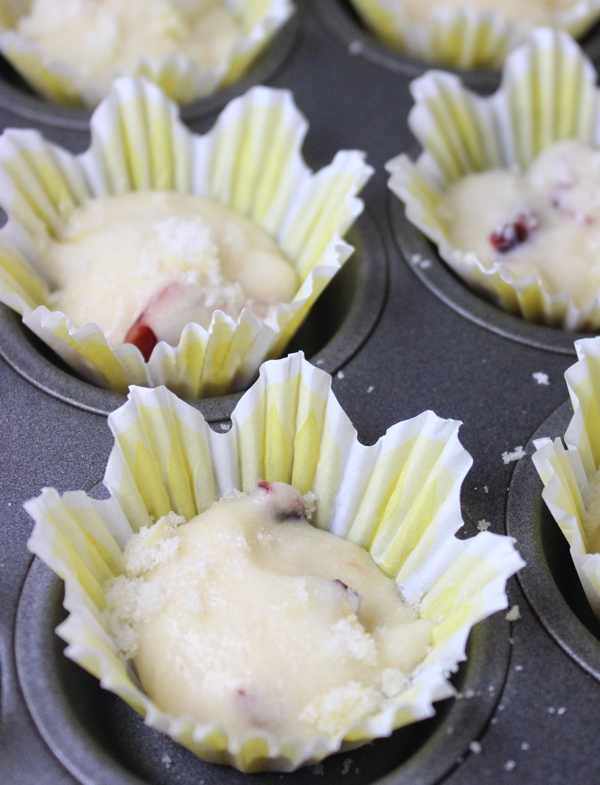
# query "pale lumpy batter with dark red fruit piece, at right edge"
(545, 221)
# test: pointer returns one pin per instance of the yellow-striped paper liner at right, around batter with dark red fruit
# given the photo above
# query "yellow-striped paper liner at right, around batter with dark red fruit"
(548, 94)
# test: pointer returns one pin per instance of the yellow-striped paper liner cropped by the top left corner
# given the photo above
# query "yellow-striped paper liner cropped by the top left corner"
(180, 78)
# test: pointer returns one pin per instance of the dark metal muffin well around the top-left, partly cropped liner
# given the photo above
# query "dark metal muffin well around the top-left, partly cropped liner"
(17, 98)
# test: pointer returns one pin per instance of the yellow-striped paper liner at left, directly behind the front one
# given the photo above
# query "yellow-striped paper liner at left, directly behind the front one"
(250, 161)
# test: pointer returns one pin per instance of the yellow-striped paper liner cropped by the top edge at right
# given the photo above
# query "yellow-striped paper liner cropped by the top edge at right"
(464, 37)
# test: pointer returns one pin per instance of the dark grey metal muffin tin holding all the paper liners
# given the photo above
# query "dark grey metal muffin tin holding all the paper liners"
(527, 707)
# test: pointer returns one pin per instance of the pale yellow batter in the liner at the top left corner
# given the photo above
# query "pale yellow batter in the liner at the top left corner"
(95, 37)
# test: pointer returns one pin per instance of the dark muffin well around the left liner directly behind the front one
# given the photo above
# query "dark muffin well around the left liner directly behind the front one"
(335, 329)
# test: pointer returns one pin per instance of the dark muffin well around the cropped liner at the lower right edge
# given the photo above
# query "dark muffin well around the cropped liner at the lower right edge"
(550, 581)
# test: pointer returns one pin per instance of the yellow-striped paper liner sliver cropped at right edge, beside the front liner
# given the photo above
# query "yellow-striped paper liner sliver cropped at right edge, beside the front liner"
(568, 471)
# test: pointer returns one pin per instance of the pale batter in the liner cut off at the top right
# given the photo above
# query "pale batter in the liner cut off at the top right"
(529, 12)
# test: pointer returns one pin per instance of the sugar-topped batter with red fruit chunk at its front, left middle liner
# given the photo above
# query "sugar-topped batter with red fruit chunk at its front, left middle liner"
(165, 258)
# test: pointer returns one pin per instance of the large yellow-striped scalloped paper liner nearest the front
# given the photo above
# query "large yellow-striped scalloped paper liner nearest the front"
(399, 499)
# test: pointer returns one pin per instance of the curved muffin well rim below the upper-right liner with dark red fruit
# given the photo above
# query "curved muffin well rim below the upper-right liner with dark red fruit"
(424, 260)
